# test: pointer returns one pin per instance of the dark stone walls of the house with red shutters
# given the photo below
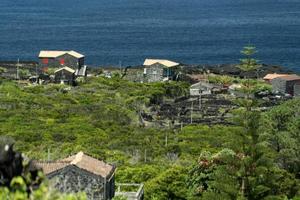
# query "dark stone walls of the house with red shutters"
(69, 61)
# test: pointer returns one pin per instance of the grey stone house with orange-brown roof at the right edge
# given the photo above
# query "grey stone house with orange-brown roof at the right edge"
(285, 84)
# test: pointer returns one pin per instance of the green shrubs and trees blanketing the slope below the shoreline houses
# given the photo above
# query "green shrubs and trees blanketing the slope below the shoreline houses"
(257, 157)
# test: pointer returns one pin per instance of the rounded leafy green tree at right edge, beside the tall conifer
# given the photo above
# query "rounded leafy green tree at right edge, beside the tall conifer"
(280, 127)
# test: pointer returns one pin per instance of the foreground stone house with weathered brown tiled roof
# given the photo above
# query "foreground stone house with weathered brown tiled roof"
(81, 173)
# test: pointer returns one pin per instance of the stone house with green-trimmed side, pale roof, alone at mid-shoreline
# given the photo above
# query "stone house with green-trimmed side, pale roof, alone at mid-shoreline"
(155, 70)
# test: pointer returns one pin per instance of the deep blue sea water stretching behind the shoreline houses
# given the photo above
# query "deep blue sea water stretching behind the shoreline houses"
(188, 31)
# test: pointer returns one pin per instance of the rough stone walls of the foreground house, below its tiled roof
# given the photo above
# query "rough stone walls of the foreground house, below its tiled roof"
(72, 179)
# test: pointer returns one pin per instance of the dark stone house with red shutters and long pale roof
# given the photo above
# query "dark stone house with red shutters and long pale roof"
(56, 59)
